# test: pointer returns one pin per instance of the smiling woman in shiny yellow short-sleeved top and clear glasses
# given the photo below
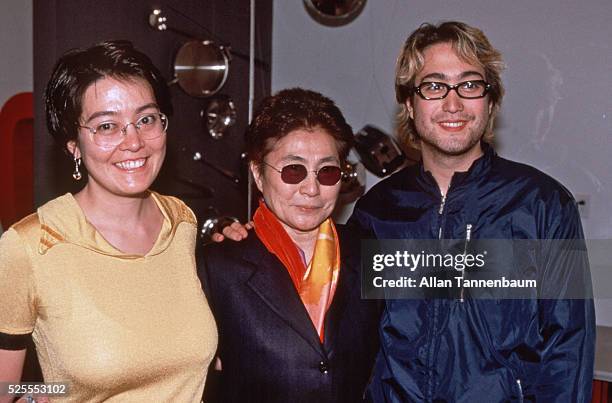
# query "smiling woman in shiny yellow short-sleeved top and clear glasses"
(105, 280)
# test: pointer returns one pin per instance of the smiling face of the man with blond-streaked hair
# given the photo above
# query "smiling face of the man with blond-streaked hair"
(452, 126)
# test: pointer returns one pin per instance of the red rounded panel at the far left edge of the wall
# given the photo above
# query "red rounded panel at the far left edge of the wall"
(16, 158)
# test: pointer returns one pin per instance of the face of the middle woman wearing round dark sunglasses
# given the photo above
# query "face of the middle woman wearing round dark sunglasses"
(302, 207)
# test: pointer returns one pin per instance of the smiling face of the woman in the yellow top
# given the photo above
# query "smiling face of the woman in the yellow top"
(129, 168)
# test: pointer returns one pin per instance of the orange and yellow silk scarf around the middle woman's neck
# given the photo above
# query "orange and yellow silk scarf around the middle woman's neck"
(316, 284)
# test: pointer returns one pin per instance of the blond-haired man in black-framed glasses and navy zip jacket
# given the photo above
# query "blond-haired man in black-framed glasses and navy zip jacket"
(468, 349)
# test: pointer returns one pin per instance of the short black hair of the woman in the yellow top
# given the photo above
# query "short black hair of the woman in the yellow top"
(77, 69)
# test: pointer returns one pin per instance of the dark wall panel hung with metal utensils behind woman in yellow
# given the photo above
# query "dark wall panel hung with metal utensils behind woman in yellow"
(60, 25)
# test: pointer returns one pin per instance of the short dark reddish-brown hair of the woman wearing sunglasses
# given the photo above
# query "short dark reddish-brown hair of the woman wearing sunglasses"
(295, 109)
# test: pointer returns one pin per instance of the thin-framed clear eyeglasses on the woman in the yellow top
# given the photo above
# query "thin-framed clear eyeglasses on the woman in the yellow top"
(110, 133)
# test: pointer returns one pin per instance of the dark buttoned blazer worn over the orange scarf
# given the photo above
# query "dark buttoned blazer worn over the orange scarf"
(269, 348)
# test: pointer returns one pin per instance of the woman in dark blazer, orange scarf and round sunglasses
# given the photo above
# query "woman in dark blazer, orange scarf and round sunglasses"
(292, 325)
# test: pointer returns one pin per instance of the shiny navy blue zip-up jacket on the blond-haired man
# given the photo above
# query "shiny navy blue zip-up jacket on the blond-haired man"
(476, 350)
